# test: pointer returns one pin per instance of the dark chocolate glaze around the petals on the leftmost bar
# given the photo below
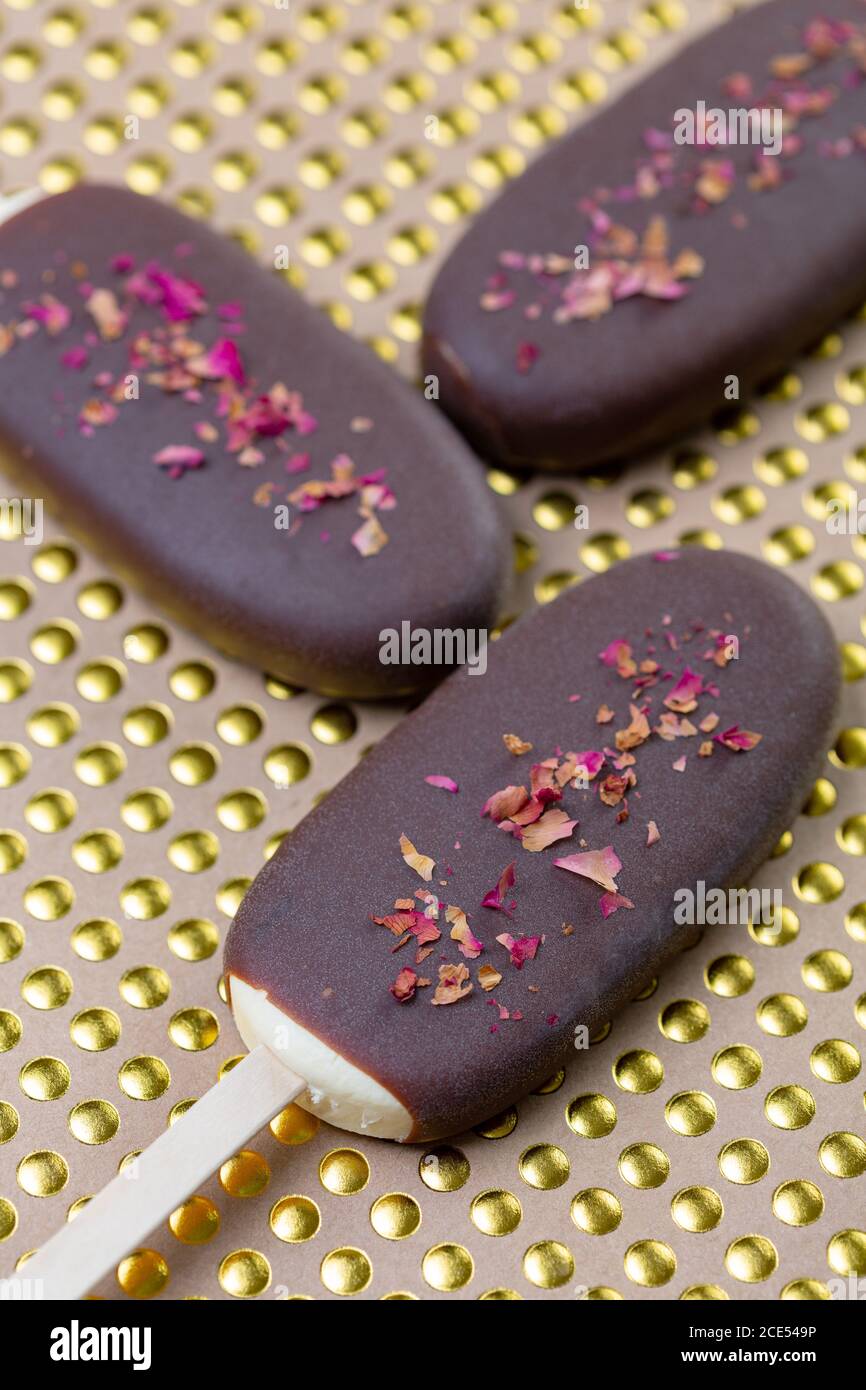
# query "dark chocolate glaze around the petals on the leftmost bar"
(307, 611)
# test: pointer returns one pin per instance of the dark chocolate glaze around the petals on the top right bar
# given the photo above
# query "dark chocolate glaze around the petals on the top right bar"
(650, 370)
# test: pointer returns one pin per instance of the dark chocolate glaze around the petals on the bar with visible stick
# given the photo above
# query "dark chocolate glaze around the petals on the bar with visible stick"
(304, 932)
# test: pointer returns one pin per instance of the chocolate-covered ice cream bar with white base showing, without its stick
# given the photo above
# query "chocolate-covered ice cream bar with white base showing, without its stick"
(516, 861)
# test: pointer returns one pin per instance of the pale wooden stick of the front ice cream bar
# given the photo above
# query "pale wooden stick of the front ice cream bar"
(165, 1175)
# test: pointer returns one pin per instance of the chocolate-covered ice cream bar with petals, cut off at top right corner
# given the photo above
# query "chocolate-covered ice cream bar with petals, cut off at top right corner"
(671, 255)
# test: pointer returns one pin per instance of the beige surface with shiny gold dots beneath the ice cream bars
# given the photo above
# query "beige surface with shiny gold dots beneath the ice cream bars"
(711, 1143)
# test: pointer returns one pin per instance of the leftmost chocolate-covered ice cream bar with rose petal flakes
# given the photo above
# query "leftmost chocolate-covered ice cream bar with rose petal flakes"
(265, 479)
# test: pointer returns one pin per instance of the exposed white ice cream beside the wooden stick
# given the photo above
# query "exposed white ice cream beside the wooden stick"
(338, 1092)
